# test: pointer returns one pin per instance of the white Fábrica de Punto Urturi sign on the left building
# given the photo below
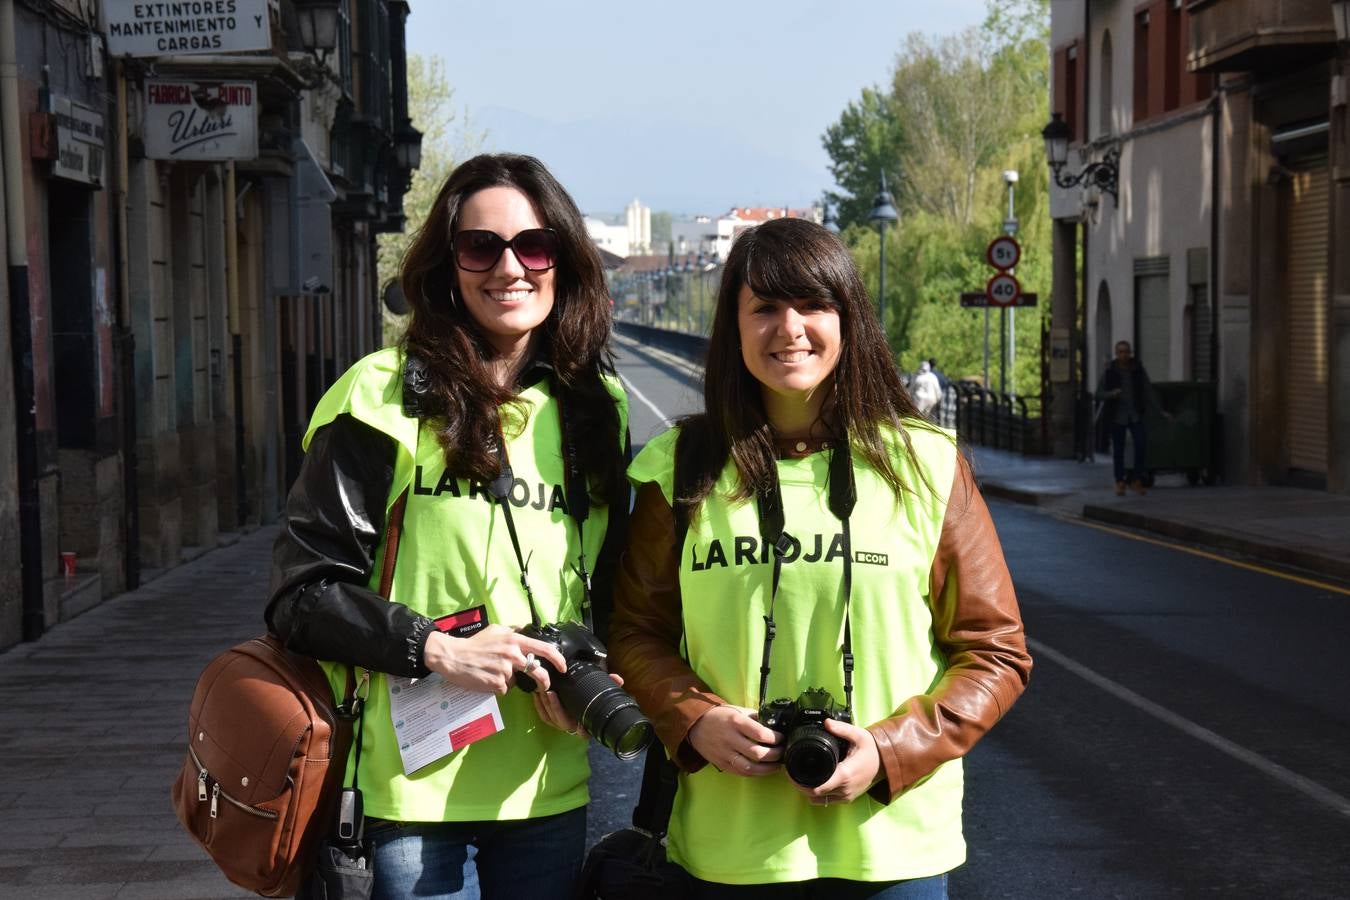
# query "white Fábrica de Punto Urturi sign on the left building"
(200, 121)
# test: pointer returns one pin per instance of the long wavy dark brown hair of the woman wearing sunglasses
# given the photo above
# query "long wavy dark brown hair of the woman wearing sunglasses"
(457, 354)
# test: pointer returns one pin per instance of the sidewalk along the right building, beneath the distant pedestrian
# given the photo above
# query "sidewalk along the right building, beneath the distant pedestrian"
(1279, 526)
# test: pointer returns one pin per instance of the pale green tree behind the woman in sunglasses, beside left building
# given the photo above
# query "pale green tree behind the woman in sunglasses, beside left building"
(448, 138)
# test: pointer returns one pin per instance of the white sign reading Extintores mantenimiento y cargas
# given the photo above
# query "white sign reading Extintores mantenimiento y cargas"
(175, 28)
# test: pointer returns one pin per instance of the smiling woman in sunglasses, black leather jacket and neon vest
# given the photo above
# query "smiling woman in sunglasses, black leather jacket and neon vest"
(473, 422)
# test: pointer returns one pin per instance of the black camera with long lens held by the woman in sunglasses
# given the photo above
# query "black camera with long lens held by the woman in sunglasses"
(588, 693)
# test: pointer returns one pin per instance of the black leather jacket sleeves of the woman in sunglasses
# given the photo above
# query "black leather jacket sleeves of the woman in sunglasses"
(323, 559)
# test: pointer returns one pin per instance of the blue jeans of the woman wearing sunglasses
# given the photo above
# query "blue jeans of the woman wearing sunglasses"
(520, 859)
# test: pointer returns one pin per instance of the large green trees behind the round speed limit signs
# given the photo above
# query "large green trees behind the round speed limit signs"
(958, 113)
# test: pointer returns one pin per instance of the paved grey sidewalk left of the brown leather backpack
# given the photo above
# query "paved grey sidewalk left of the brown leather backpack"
(94, 724)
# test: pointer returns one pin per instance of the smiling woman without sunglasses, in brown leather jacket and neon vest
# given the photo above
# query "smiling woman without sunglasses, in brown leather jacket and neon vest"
(812, 538)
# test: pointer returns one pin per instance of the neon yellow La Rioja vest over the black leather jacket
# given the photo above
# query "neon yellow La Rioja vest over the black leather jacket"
(456, 554)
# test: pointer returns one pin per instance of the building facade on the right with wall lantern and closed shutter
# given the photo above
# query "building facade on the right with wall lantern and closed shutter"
(1216, 258)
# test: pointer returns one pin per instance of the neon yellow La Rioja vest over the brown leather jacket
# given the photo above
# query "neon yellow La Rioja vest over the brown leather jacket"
(738, 831)
